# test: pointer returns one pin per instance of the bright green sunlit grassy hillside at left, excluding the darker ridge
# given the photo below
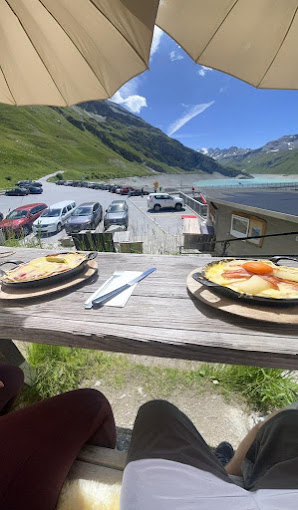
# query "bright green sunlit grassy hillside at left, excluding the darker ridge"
(36, 141)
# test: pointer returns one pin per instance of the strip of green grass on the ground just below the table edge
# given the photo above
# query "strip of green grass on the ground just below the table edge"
(60, 369)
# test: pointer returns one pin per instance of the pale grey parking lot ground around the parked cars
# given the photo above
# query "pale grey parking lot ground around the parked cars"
(141, 221)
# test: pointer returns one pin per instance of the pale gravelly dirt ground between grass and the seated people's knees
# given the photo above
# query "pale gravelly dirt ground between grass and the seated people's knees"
(215, 417)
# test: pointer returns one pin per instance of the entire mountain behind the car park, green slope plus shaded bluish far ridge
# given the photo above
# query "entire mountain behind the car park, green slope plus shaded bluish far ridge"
(36, 141)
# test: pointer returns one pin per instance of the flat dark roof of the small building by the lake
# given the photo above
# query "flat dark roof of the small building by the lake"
(279, 204)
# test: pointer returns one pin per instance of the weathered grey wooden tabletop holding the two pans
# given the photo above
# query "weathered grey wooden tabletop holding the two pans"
(160, 319)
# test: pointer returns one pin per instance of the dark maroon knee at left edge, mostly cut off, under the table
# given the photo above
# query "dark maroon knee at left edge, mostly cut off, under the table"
(13, 379)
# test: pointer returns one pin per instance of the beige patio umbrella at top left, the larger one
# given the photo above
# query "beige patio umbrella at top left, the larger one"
(62, 52)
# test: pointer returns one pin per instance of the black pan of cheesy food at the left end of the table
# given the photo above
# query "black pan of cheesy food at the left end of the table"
(48, 270)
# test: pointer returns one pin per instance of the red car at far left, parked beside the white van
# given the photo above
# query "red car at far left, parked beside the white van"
(20, 219)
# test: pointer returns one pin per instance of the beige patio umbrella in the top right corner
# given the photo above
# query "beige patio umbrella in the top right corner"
(254, 40)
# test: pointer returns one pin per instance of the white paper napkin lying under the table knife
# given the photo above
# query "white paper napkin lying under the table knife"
(114, 282)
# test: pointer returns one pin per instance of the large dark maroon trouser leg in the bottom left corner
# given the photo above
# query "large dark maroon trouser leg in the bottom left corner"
(39, 444)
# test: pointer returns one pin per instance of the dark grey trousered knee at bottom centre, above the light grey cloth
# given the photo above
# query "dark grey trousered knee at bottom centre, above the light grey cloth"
(162, 431)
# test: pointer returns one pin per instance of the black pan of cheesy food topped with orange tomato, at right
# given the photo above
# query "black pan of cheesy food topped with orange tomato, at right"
(256, 281)
